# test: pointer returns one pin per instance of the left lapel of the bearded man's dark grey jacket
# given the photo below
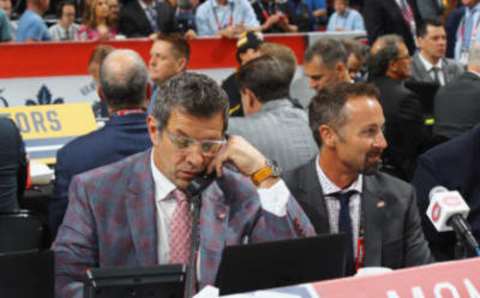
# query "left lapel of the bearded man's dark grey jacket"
(313, 200)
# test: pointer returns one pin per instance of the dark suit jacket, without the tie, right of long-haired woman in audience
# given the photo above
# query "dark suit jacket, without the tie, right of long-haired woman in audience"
(134, 23)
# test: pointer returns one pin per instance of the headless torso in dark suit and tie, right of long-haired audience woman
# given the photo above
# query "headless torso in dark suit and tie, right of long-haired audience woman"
(141, 18)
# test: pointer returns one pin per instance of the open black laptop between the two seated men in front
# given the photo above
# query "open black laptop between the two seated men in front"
(267, 265)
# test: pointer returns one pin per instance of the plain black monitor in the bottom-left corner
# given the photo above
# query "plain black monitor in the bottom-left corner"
(27, 274)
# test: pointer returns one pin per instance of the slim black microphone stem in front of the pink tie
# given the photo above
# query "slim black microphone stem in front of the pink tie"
(196, 204)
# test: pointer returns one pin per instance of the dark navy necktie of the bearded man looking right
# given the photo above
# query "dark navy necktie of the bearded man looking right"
(345, 226)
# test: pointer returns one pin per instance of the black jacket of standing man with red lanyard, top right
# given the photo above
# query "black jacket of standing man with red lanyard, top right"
(385, 17)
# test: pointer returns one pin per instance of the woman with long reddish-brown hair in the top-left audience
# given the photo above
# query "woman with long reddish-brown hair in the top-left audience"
(96, 24)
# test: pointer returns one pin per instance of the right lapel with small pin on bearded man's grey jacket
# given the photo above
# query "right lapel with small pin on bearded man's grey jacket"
(373, 206)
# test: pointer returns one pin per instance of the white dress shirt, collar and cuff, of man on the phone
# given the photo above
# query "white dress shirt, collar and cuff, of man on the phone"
(273, 200)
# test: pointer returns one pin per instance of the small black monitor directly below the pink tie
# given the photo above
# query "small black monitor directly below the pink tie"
(165, 281)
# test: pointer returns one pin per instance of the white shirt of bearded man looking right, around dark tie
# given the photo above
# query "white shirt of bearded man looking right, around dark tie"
(333, 204)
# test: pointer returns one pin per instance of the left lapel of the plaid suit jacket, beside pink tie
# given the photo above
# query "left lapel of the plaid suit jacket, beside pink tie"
(141, 212)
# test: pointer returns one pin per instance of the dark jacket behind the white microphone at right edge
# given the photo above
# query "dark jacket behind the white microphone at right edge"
(455, 165)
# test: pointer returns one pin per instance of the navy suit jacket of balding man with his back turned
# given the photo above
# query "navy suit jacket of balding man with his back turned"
(119, 138)
